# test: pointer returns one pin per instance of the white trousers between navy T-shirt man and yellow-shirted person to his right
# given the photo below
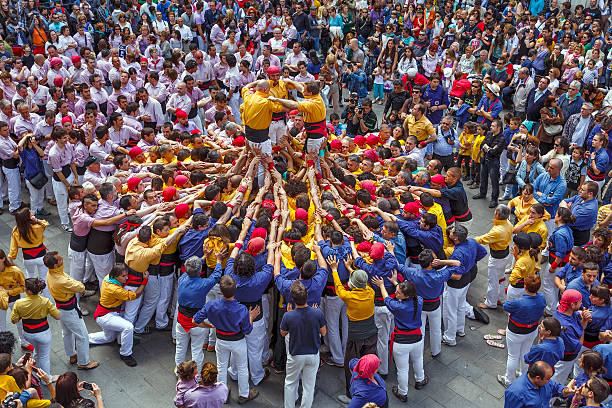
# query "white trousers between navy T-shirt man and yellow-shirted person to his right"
(337, 327)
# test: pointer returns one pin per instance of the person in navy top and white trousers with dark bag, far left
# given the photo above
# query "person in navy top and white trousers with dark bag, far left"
(31, 155)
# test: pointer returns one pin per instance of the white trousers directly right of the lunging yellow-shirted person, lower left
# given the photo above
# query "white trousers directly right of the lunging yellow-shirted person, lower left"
(155, 300)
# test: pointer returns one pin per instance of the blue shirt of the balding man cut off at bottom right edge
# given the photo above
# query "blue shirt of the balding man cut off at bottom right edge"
(522, 393)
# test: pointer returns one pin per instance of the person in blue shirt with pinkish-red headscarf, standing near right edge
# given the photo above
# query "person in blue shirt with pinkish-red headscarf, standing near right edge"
(573, 321)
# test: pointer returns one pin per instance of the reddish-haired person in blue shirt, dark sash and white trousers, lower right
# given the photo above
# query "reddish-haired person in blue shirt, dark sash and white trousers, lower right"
(525, 314)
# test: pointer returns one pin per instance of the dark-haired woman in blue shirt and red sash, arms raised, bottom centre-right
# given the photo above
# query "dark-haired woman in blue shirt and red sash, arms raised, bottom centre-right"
(407, 338)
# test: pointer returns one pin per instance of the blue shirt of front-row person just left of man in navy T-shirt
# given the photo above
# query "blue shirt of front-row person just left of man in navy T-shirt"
(226, 315)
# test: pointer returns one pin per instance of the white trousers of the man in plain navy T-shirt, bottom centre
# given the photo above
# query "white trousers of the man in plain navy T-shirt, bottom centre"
(304, 366)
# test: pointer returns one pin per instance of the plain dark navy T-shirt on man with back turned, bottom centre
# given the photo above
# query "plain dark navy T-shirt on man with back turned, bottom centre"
(303, 325)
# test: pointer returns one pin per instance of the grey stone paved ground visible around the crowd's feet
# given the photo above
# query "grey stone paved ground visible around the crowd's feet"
(463, 376)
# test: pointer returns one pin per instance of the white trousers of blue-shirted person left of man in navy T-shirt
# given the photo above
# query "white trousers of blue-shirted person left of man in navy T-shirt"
(237, 350)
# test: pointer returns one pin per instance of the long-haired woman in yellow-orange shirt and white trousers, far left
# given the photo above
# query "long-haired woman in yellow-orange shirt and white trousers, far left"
(28, 235)
